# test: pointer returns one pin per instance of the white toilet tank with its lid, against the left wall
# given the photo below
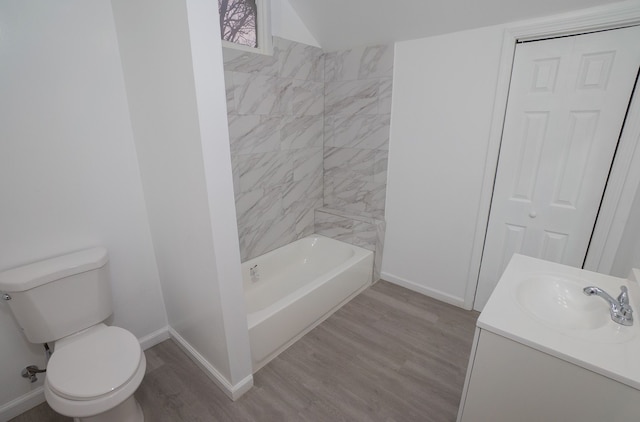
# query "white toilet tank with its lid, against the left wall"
(57, 297)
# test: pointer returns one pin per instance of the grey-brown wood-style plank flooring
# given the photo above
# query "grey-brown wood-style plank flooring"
(388, 355)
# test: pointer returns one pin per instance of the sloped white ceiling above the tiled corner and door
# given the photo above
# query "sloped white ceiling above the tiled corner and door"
(338, 24)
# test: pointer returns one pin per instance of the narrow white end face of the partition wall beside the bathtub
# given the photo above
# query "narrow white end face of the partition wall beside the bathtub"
(212, 113)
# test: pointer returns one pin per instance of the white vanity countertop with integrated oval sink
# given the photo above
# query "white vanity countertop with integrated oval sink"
(541, 305)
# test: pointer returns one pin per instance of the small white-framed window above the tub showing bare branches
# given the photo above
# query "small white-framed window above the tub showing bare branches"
(244, 24)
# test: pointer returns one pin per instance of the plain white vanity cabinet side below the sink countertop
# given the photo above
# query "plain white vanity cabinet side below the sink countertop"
(508, 381)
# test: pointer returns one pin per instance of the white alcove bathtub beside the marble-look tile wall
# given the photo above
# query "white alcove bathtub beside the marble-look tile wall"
(298, 286)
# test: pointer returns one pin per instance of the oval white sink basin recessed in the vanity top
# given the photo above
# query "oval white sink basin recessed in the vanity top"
(559, 301)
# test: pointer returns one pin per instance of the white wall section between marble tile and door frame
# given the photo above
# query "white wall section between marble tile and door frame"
(443, 95)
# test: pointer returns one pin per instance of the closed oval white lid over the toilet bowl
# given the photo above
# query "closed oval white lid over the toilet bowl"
(95, 364)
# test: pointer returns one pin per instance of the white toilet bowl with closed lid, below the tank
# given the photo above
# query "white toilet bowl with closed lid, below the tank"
(92, 375)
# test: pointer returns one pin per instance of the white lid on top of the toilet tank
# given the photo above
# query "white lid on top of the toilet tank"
(38, 273)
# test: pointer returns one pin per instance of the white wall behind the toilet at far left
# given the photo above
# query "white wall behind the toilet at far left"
(69, 178)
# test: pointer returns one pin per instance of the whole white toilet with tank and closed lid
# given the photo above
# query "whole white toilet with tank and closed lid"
(94, 369)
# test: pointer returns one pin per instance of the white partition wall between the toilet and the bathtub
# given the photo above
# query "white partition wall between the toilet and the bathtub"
(172, 61)
